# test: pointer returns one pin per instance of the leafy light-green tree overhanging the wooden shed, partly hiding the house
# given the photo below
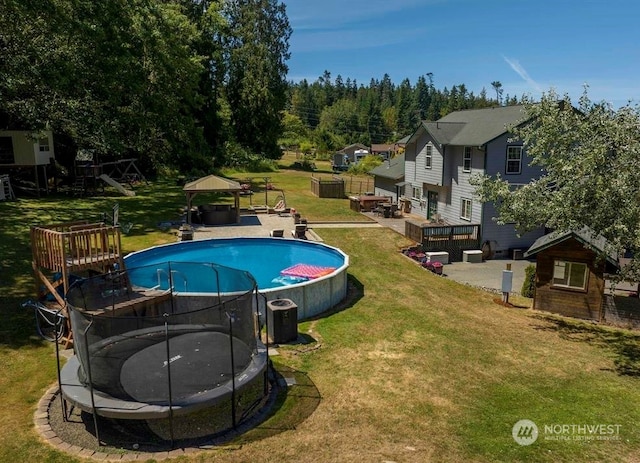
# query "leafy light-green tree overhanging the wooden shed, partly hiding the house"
(589, 159)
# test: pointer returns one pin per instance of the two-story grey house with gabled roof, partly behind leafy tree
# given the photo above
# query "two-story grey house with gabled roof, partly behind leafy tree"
(441, 157)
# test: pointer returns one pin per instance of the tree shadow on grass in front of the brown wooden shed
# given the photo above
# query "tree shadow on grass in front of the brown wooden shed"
(624, 345)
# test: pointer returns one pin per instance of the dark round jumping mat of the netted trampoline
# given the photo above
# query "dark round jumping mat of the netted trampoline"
(199, 362)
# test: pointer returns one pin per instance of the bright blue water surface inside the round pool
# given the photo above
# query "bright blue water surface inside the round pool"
(264, 258)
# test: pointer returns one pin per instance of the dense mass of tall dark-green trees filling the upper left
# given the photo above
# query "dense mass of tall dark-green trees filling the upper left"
(169, 81)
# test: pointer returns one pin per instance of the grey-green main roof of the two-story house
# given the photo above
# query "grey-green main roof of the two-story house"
(473, 127)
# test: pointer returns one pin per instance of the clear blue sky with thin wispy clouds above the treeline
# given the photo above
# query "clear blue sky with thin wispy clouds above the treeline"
(530, 46)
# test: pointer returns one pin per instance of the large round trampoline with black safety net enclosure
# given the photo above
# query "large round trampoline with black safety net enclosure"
(146, 354)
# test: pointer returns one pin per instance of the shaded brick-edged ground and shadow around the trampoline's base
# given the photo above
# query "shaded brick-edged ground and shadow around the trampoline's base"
(292, 399)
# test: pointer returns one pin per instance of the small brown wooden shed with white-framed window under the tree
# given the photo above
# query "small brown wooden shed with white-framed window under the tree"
(570, 273)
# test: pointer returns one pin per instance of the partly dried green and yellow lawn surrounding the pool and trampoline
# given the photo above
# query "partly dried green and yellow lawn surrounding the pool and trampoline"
(414, 367)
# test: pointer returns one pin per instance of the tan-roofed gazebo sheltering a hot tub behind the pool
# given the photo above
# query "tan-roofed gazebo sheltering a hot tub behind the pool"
(214, 214)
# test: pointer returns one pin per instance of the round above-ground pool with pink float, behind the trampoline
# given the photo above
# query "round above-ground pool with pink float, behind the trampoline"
(313, 275)
